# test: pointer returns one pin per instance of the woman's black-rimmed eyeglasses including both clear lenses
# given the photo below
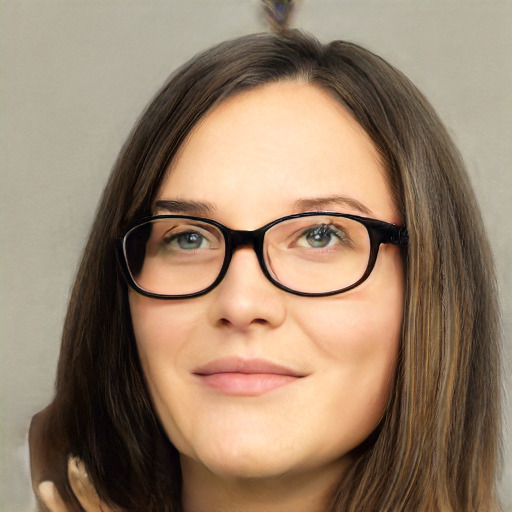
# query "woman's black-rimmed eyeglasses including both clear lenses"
(309, 254)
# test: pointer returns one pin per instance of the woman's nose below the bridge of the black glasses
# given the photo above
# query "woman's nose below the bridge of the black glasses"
(245, 298)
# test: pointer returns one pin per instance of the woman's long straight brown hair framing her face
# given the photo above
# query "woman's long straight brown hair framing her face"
(437, 445)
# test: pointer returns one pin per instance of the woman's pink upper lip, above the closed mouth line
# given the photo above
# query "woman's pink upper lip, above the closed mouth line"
(247, 366)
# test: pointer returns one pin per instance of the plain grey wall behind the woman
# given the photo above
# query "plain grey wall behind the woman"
(74, 77)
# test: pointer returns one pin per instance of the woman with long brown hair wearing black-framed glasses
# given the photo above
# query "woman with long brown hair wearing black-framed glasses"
(353, 367)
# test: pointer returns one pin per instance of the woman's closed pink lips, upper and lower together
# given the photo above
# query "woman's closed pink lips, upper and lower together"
(245, 377)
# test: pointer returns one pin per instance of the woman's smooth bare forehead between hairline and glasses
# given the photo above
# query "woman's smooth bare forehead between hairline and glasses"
(259, 153)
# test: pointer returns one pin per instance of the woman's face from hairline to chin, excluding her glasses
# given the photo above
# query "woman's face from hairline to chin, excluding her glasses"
(260, 155)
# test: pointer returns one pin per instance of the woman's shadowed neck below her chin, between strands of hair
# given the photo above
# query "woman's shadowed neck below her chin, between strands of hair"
(204, 491)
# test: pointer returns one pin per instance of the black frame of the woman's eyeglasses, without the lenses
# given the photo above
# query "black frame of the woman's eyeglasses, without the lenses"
(380, 232)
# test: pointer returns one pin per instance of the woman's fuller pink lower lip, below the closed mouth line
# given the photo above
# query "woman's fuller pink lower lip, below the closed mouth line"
(246, 384)
